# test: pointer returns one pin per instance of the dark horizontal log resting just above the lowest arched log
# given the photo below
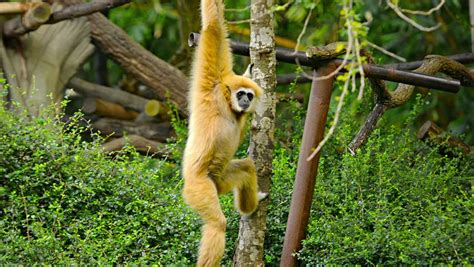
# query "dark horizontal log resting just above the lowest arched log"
(155, 131)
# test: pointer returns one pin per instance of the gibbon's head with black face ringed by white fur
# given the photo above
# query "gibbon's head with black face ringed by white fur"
(244, 93)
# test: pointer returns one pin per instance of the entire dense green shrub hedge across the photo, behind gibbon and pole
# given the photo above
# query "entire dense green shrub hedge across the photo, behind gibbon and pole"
(63, 201)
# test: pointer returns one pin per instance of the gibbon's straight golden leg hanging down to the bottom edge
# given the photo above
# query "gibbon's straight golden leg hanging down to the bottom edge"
(201, 194)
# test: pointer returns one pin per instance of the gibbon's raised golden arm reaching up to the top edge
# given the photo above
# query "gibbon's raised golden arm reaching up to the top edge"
(213, 56)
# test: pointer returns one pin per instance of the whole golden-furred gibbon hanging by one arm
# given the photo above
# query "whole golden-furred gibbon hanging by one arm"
(220, 101)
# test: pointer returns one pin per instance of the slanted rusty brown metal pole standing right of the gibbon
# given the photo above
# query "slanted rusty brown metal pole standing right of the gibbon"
(306, 172)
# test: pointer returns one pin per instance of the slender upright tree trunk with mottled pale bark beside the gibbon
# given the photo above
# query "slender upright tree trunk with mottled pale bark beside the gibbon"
(249, 250)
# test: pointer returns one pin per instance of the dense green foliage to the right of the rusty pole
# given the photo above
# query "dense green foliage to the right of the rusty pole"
(397, 201)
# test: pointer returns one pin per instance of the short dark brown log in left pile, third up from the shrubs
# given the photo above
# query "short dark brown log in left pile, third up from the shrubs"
(107, 109)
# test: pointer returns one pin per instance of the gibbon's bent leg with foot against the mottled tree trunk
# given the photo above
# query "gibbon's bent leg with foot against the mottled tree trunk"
(241, 176)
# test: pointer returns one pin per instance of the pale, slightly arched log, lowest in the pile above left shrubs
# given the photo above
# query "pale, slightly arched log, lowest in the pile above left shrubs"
(141, 144)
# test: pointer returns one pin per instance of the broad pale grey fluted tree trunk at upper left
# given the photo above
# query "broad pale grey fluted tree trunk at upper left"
(38, 65)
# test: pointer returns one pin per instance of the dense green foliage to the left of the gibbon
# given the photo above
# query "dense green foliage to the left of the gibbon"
(63, 201)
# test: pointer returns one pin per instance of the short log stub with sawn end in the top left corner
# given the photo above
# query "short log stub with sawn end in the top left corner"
(34, 17)
